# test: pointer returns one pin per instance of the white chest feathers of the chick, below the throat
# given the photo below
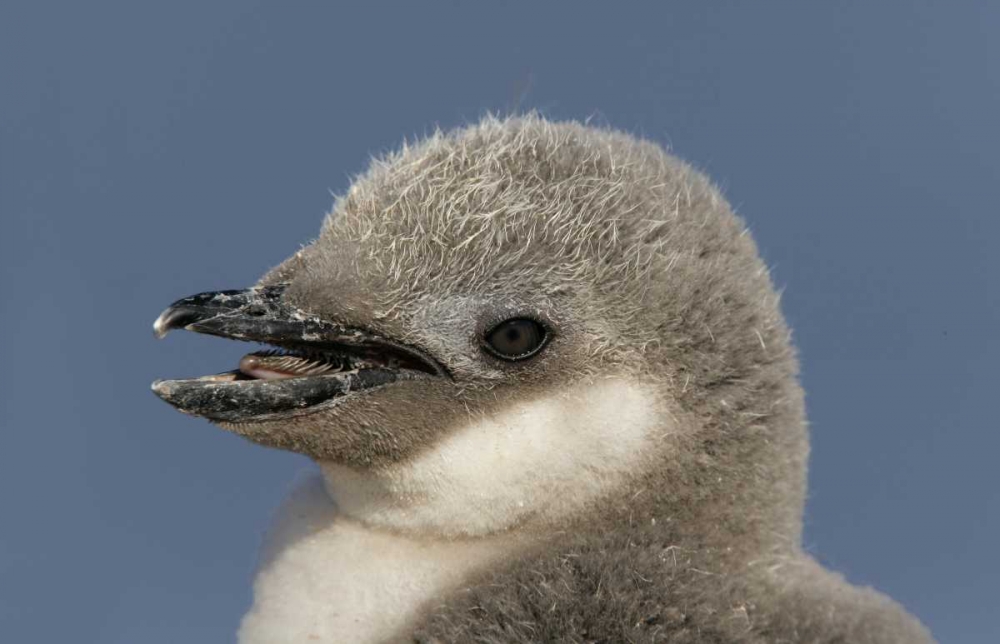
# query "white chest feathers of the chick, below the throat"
(327, 578)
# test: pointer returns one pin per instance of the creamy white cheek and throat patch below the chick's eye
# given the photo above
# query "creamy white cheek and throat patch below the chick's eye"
(538, 460)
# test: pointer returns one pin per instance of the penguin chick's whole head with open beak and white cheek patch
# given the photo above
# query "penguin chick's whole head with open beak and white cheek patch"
(520, 316)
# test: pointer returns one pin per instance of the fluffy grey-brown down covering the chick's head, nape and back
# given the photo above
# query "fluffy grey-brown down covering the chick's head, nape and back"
(645, 272)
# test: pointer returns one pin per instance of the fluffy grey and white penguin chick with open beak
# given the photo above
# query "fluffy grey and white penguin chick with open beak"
(552, 397)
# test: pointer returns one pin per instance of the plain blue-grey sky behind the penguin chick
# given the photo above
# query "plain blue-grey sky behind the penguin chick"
(152, 150)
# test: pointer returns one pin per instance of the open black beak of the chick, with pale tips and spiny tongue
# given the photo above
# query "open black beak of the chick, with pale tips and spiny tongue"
(314, 362)
